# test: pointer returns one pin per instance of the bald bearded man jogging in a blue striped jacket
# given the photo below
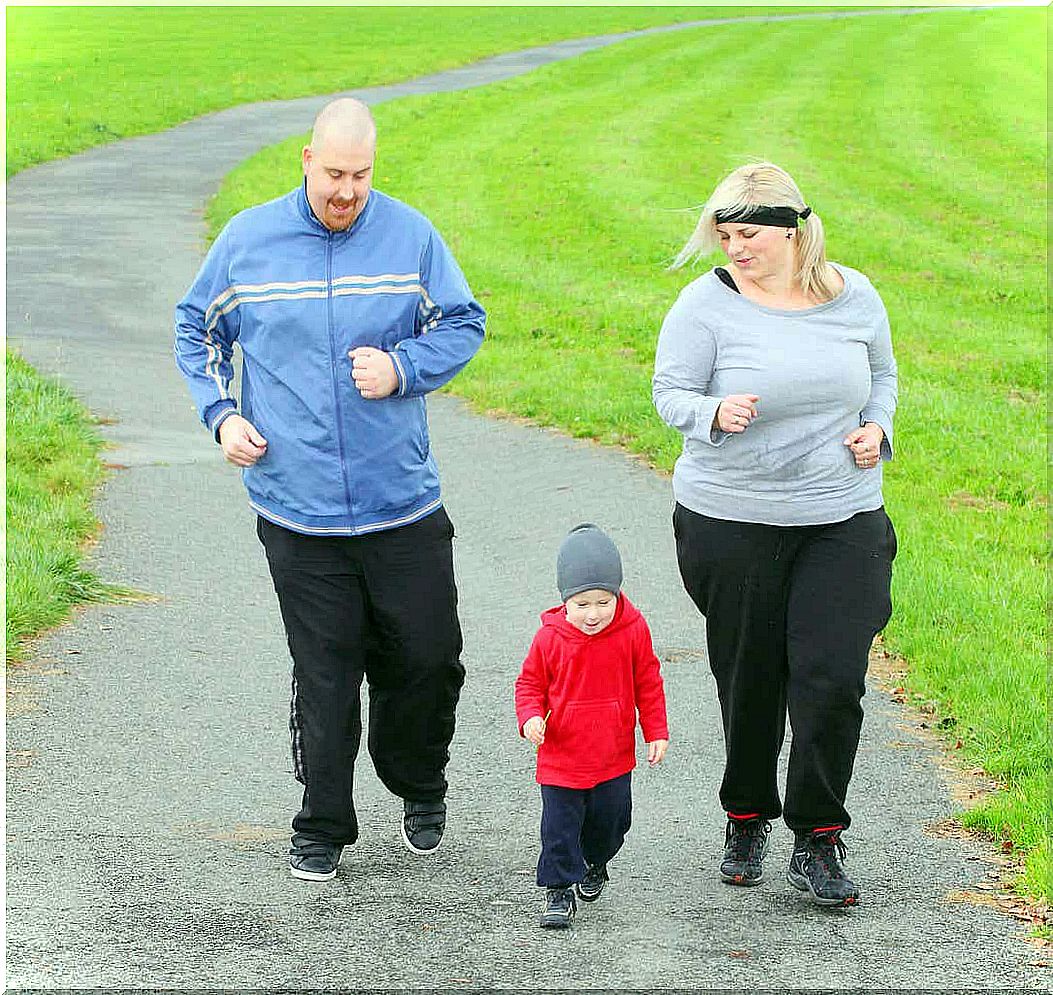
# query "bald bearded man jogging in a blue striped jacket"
(349, 309)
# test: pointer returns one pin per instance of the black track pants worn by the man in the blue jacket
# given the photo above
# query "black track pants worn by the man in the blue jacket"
(384, 606)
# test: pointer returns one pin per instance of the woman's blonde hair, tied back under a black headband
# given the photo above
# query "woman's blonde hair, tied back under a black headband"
(765, 184)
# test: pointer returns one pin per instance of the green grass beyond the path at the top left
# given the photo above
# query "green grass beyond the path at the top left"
(80, 77)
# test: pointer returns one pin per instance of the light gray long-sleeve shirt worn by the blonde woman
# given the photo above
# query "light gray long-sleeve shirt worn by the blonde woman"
(821, 373)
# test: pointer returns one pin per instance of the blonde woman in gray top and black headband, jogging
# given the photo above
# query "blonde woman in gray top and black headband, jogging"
(779, 372)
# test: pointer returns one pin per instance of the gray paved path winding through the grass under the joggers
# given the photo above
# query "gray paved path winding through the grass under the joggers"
(149, 785)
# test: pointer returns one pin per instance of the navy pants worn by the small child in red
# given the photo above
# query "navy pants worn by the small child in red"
(582, 826)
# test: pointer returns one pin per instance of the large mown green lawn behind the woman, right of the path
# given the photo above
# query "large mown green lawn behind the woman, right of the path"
(922, 145)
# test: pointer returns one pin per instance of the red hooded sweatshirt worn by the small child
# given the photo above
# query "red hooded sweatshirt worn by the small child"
(594, 687)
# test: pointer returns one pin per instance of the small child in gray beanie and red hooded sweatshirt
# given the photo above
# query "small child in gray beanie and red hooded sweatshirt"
(590, 669)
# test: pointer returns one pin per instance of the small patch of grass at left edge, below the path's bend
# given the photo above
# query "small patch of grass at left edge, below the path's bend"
(53, 470)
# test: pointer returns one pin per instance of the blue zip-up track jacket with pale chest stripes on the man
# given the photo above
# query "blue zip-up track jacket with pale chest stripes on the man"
(297, 298)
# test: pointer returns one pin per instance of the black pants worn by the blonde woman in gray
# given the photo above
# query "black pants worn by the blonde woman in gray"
(791, 613)
